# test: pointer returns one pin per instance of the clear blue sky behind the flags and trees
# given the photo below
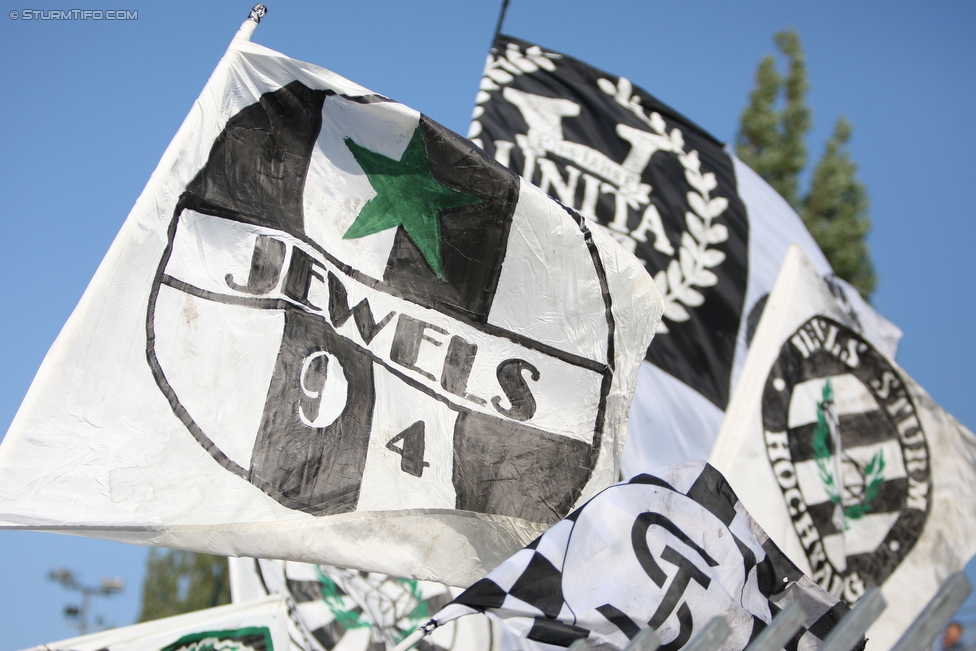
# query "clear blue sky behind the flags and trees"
(90, 106)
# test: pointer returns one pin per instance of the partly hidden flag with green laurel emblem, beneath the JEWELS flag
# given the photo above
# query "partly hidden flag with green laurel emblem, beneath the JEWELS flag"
(334, 608)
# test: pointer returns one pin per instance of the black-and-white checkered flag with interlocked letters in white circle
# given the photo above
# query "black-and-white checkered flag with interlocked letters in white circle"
(669, 551)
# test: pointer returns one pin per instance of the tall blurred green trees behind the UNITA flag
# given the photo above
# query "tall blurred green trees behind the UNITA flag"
(772, 141)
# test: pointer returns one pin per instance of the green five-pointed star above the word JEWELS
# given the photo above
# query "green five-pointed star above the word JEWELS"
(407, 194)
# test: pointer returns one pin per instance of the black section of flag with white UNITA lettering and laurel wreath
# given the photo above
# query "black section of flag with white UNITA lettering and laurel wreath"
(662, 186)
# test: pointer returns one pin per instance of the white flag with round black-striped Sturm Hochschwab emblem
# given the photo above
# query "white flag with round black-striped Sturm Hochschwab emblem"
(844, 460)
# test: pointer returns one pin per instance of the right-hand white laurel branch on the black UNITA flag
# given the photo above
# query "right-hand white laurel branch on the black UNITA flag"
(691, 269)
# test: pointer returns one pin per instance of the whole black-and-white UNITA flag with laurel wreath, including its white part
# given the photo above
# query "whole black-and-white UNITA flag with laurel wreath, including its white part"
(709, 230)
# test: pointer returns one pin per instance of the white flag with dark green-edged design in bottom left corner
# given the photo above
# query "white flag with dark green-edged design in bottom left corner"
(259, 625)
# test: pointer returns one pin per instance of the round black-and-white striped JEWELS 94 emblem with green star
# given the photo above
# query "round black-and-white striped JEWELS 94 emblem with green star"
(295, 350)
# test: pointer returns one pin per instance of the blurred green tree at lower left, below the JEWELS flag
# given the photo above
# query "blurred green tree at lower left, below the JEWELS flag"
(180, 582)
